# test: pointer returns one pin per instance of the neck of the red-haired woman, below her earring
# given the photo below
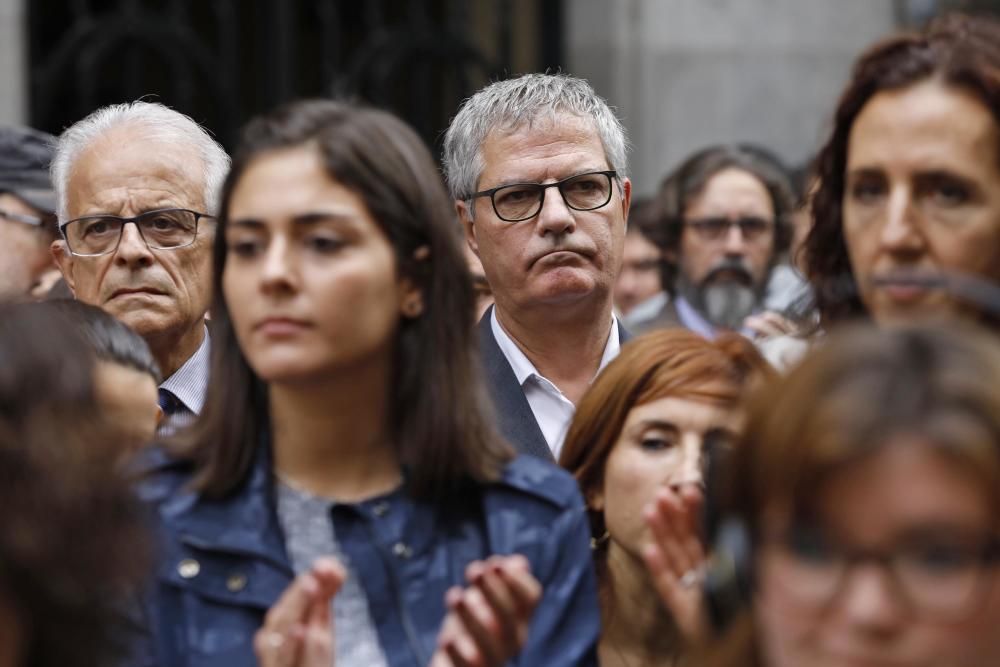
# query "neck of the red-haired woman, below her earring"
(635, 621)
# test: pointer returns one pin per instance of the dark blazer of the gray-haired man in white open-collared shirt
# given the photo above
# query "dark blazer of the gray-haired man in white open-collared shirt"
(514, 417)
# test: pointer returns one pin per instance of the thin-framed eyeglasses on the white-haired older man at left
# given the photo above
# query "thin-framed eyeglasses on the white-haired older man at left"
(162, 229)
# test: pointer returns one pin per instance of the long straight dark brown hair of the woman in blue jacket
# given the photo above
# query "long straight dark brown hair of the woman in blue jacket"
(440, 417)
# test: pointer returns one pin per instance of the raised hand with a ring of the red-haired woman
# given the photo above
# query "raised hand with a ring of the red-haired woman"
(676, 558)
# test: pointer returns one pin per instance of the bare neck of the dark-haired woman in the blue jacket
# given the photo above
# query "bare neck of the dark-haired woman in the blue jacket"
(330, 437)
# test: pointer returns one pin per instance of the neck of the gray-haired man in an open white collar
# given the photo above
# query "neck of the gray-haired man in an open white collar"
(565, 347)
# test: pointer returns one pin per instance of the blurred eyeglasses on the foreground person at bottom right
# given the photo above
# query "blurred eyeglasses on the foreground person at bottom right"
(941, 578)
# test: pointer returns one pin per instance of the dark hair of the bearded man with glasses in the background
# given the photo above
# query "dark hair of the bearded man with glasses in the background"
(689, 179)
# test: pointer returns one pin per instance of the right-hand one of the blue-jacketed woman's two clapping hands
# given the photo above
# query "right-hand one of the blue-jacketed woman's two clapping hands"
(487, 622)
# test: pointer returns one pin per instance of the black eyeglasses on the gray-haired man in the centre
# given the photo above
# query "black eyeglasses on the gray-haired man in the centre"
(520, 201)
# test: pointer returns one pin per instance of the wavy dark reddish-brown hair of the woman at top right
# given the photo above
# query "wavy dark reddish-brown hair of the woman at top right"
(961, 51)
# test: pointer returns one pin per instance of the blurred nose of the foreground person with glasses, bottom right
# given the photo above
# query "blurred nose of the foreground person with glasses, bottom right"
(869, 602)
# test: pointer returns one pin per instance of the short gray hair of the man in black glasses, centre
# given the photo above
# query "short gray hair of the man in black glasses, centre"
(515, 103)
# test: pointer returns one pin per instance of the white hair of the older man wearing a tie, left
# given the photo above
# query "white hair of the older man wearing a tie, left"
(161, 123)
